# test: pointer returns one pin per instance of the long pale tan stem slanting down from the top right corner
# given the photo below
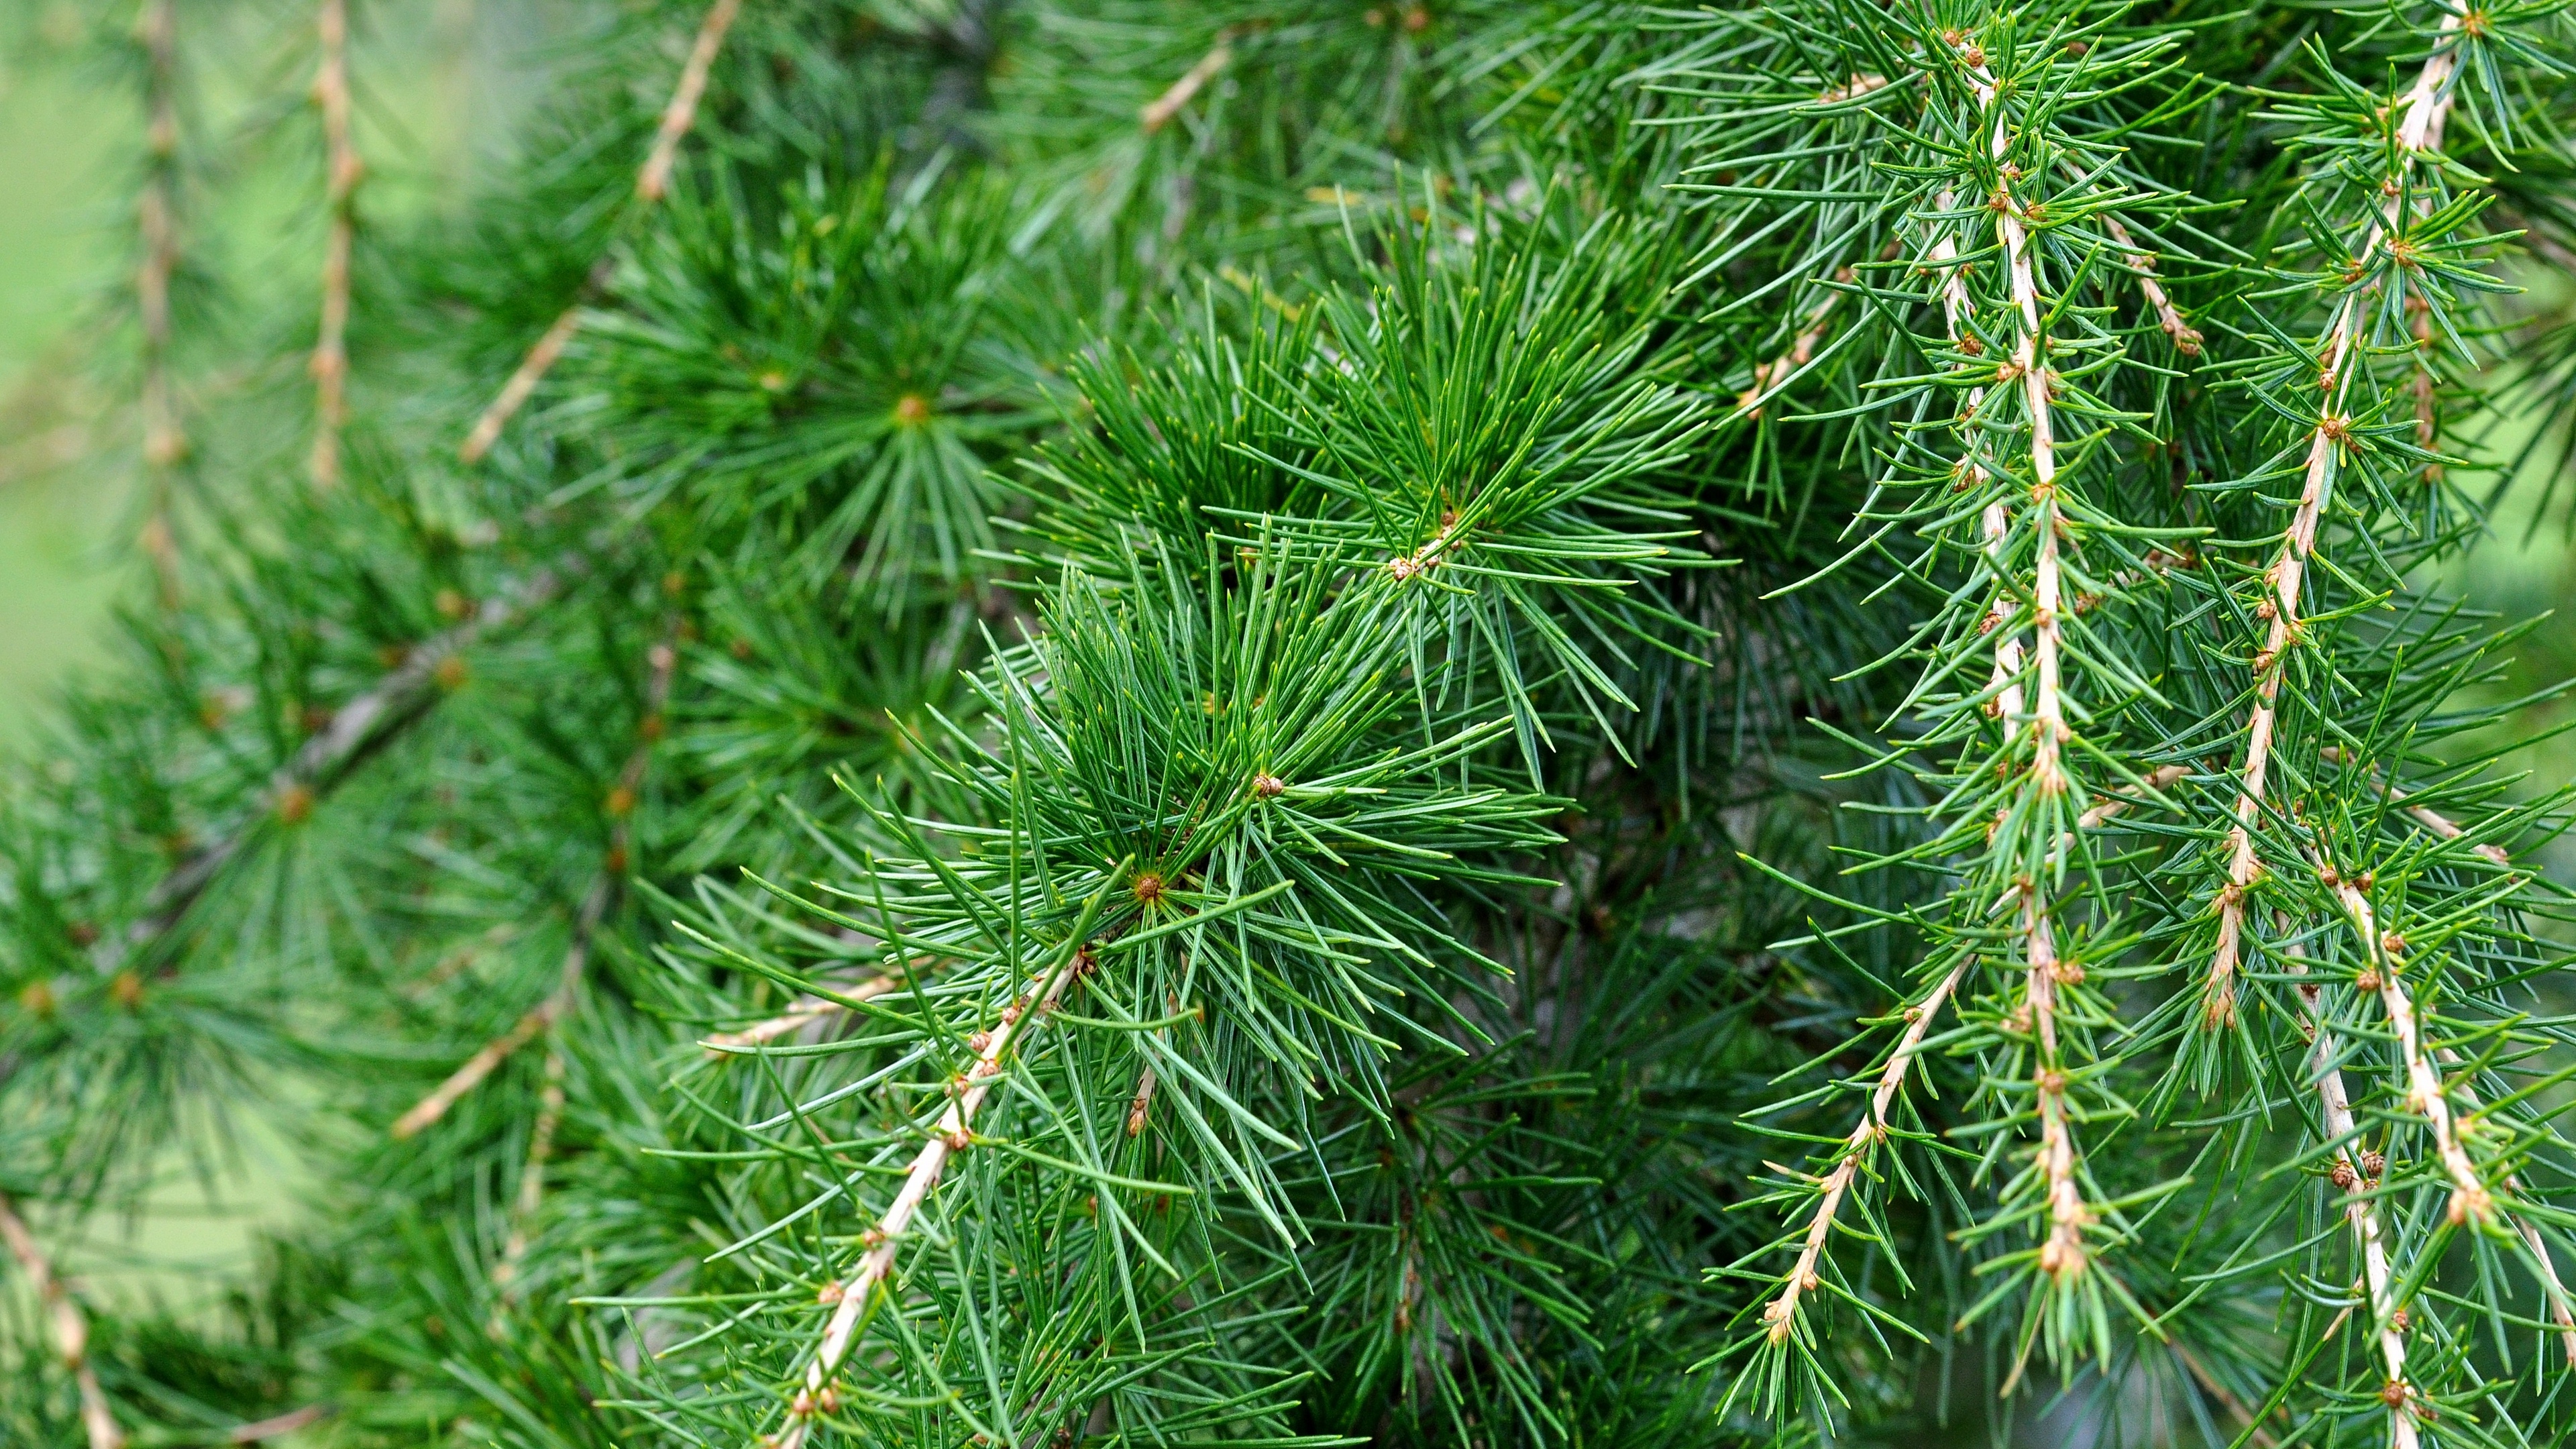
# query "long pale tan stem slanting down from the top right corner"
(2420, 130)
